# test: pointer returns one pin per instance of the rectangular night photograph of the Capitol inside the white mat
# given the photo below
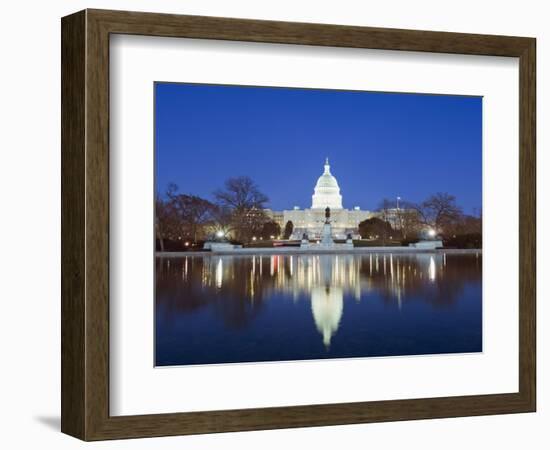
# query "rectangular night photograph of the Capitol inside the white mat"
(298, 224)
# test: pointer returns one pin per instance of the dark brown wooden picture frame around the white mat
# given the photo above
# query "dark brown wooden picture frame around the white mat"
(85, 224)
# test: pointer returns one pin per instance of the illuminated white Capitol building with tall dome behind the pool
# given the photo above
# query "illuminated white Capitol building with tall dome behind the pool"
(310, 221)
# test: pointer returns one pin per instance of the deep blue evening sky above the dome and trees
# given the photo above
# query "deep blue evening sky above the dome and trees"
(380, 145)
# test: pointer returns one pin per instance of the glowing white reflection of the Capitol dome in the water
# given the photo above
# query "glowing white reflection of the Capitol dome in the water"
(327, 305)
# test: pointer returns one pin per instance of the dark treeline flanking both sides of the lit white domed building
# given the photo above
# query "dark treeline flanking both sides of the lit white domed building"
(237, 213)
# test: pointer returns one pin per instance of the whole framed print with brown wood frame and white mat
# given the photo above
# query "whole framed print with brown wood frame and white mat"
(271, 224)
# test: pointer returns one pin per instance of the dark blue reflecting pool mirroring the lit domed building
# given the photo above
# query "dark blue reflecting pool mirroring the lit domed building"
(225, 309)
